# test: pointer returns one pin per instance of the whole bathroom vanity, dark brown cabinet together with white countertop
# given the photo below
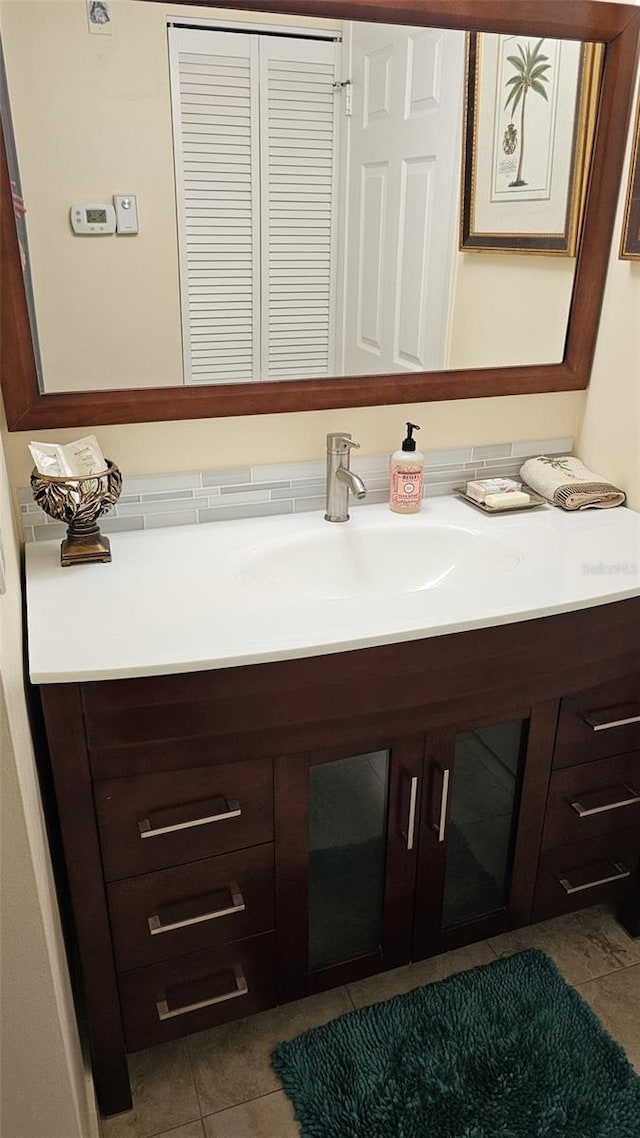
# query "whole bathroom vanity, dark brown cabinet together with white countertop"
(270, 782)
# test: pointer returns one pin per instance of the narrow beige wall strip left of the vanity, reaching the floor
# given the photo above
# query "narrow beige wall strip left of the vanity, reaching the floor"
(44, 1085)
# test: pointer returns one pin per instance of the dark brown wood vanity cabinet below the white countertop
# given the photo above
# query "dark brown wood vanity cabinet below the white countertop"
(186, 809)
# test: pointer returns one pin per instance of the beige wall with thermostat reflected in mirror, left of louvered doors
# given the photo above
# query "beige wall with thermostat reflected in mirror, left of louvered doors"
(50, 54)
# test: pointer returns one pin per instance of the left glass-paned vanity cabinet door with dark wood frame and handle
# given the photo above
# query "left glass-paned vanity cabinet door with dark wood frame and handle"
(347, 843)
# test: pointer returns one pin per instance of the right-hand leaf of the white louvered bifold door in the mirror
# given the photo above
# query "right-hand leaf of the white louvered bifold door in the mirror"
(299, 137)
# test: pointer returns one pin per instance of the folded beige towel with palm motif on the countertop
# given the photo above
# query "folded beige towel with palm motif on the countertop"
(568, 483)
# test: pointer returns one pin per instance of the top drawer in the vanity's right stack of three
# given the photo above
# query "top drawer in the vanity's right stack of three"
(600, 722)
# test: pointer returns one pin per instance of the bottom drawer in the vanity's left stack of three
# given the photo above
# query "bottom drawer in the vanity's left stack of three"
(196, 992)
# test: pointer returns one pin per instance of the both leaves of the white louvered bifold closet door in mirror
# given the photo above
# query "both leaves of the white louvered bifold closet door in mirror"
(256, 145)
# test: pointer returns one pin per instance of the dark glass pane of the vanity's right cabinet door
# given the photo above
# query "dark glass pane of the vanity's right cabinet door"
(483, 801)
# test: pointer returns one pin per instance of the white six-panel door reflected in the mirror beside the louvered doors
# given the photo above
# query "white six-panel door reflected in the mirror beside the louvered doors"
(403, 196)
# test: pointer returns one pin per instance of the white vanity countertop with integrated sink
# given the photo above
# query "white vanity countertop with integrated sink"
(182, 599)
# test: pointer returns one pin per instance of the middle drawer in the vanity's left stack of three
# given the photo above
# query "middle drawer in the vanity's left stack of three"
(208, 903)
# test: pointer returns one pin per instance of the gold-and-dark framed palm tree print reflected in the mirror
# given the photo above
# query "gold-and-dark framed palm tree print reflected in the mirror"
(529, 126)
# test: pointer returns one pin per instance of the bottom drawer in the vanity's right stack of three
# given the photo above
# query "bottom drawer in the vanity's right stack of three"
(575, 877)
